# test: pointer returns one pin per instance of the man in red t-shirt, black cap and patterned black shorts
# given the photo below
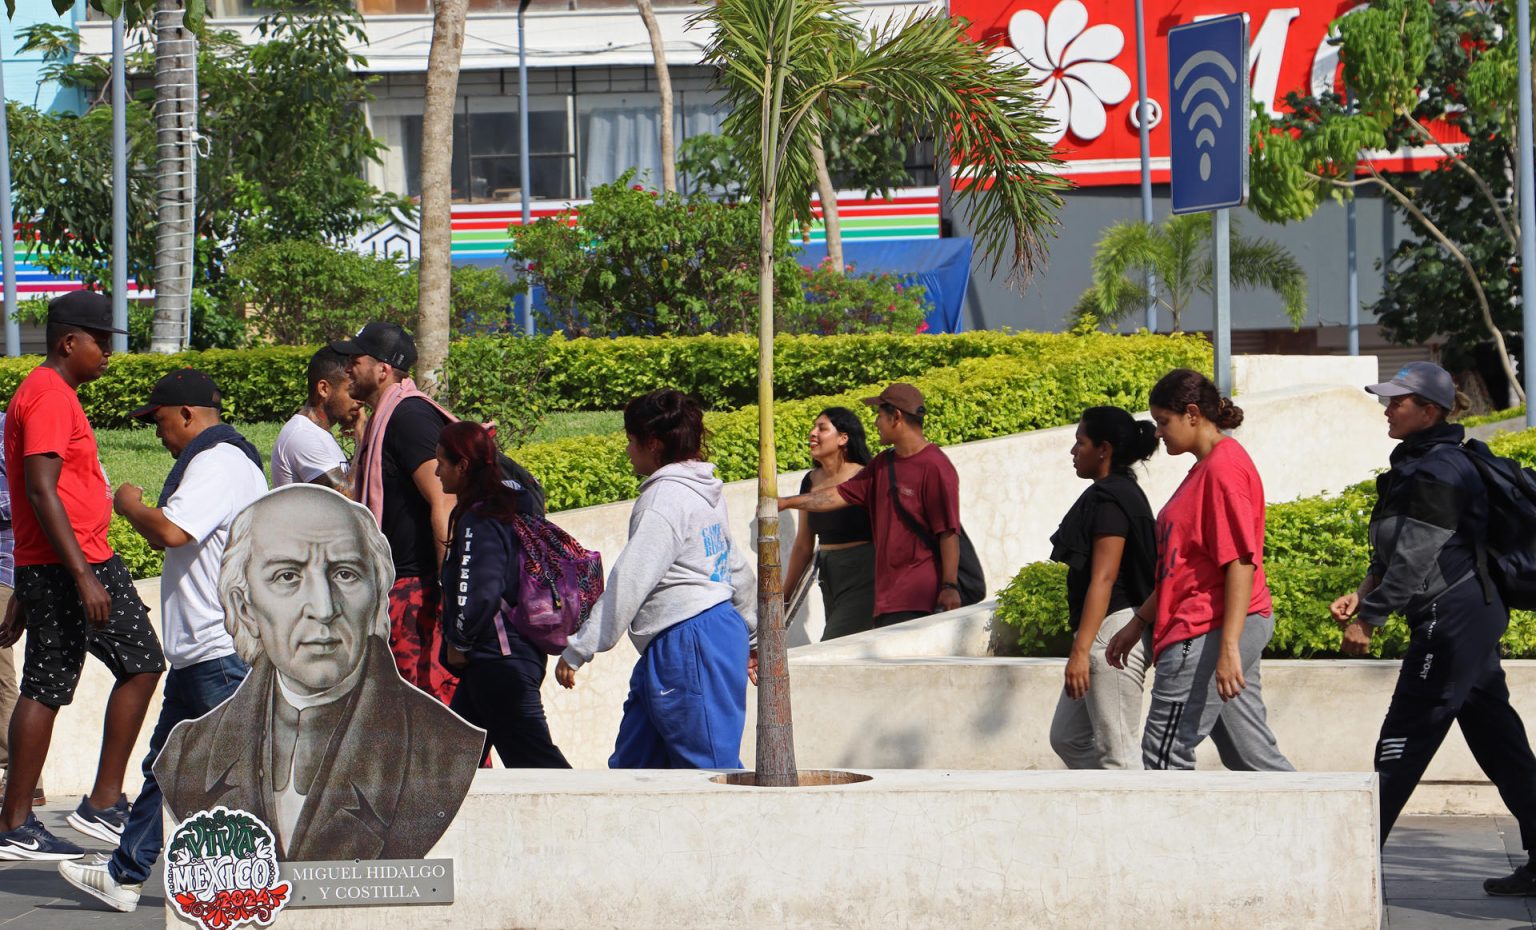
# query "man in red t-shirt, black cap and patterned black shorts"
(73, 594)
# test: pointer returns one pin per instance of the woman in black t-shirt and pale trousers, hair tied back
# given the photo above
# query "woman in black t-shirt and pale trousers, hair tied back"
(1108, 540)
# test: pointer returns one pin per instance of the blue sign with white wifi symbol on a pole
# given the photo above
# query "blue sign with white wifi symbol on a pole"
(1210, 121)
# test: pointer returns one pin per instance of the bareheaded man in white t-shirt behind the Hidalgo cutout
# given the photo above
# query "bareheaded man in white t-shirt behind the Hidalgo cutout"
(306, 451)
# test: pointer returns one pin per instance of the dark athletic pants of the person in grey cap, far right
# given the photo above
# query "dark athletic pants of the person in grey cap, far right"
(1452, 673)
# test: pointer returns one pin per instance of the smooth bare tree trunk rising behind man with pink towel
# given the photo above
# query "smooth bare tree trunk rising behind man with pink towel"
(437, 191)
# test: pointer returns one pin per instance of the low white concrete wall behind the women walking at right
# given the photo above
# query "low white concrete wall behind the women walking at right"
(927, 696)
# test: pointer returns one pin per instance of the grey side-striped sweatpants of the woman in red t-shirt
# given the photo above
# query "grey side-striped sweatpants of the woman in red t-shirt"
(1187, 706)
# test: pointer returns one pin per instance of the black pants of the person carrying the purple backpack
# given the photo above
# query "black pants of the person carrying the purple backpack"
(503, 699)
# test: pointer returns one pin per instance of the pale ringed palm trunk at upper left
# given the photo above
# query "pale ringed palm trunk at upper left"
(176, 176)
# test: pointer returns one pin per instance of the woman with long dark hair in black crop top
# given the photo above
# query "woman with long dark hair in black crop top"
(846, 554)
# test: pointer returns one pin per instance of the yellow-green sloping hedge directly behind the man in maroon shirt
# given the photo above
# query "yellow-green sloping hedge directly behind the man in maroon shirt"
(1028, 384)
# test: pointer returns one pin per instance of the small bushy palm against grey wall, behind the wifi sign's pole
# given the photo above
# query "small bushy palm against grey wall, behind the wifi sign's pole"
(1179, 253)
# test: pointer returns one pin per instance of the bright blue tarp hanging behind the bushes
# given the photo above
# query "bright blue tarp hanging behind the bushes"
(941, 265)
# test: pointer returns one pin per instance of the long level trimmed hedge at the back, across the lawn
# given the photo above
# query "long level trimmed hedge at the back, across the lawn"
(512, 380)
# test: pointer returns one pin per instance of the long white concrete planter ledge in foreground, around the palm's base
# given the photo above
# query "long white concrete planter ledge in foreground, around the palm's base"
(670, 851)
